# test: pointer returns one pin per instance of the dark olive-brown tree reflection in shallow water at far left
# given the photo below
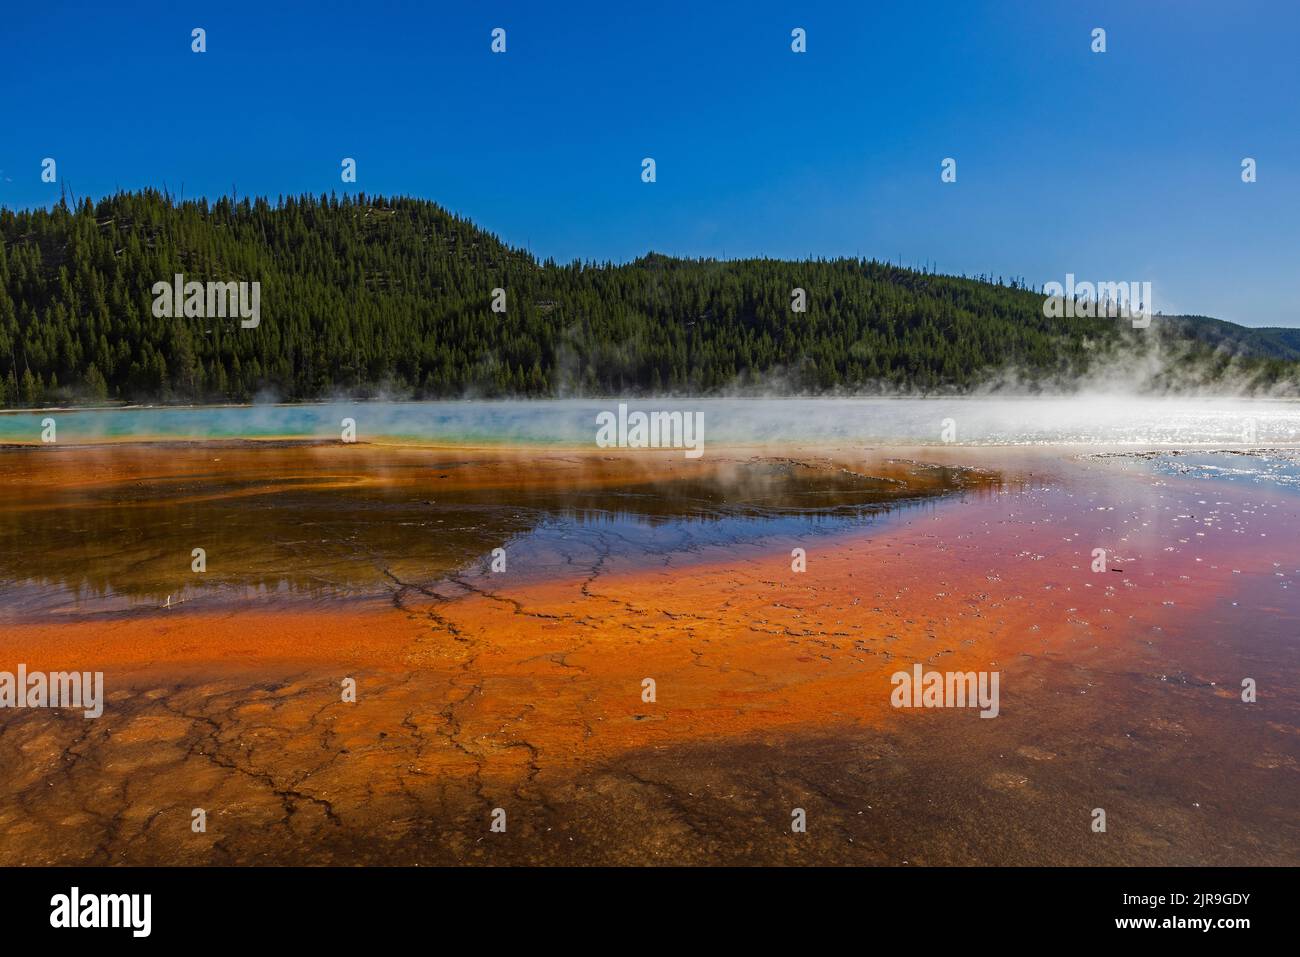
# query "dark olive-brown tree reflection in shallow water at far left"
(305, 544)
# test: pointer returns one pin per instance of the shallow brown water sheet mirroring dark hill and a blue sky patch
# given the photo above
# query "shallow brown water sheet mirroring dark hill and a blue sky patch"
(109, 530)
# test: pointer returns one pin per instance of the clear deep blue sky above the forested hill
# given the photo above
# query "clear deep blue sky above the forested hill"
(1115, 167)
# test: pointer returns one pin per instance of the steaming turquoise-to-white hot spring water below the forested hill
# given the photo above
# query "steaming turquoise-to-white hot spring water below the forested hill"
(1084, 419)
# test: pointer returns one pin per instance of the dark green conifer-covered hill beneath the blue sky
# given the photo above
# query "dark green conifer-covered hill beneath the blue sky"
(367, 295)
